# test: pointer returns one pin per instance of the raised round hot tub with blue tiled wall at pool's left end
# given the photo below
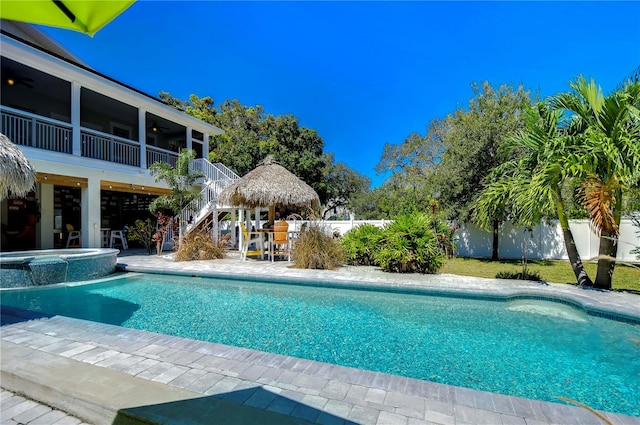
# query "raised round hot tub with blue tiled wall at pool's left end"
(45, 267)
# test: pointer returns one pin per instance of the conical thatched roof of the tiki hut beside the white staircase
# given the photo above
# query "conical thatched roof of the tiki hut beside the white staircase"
(269, 184)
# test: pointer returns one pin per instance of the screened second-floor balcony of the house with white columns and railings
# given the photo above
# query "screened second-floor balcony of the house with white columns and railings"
(83, 114)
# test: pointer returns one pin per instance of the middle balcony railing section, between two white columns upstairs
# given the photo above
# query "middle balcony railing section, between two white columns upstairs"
(107, 147)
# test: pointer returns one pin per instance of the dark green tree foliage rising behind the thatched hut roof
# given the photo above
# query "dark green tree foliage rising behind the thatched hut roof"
(251, 134)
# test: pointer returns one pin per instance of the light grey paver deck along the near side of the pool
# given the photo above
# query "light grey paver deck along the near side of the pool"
(311, 388)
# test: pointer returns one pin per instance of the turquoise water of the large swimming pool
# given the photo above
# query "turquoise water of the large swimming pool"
(528, 348)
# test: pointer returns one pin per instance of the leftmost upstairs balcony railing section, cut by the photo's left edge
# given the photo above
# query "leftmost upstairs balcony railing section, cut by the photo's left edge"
(27, 129)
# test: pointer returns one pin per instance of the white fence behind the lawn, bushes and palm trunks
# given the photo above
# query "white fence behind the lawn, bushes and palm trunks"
(544, 242)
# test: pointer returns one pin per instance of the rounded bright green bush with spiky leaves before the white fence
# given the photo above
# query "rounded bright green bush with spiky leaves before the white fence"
(410, 245)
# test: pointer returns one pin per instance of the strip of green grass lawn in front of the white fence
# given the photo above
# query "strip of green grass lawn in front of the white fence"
(624, 276)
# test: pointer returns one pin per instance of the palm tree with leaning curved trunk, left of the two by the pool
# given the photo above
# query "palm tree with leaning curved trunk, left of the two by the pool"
(528, 187)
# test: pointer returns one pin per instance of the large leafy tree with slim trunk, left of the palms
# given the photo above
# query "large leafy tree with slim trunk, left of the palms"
(451, 161)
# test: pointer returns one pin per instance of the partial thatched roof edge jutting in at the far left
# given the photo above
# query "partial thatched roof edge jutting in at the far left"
(16, 173)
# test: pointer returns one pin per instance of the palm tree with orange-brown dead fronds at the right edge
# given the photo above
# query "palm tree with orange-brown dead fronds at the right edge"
(606, 132)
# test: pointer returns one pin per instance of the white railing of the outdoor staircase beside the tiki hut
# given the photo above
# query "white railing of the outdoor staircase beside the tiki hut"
(217, 178)
